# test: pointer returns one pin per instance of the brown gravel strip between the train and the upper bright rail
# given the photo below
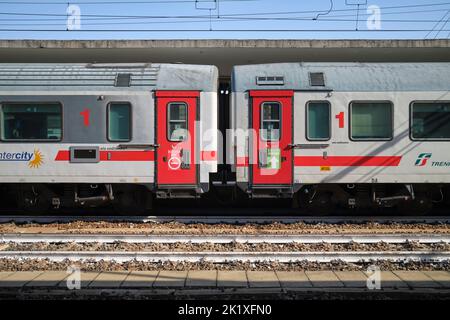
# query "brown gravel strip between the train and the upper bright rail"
(86, 227)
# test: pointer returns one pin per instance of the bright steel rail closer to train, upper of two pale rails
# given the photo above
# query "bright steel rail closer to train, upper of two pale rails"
(363, 238)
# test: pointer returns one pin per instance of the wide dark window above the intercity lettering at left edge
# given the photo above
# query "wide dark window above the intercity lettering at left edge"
(29, 121)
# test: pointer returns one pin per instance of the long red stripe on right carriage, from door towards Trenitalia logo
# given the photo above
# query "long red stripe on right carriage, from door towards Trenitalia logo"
(348, 161)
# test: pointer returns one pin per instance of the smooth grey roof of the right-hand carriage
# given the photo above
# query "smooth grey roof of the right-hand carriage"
(348, 77)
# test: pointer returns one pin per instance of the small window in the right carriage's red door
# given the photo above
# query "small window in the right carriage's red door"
(270, 121)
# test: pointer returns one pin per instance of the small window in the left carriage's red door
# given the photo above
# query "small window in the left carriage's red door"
(177, 121)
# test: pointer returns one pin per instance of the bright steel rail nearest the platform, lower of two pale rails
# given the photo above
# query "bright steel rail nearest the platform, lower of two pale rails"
(224, 257)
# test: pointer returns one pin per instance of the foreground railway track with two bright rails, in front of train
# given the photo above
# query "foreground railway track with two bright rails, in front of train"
(225, 256)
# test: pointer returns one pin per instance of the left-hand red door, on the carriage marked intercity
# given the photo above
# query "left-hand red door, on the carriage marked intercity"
(176, 160)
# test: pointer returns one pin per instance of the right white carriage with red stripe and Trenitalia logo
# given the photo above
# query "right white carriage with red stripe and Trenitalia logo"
(357, 134)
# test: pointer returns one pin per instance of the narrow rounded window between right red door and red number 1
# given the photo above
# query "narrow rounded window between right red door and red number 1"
(318, 120)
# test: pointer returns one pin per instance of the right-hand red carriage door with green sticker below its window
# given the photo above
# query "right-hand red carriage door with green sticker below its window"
(272, 123)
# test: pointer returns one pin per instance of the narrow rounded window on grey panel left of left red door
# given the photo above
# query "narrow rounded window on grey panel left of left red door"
(119, 121)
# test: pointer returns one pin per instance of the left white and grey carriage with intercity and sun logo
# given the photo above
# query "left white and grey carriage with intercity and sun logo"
(93, 133)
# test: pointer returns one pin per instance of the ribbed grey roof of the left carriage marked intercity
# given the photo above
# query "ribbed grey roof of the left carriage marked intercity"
(111, 77)
